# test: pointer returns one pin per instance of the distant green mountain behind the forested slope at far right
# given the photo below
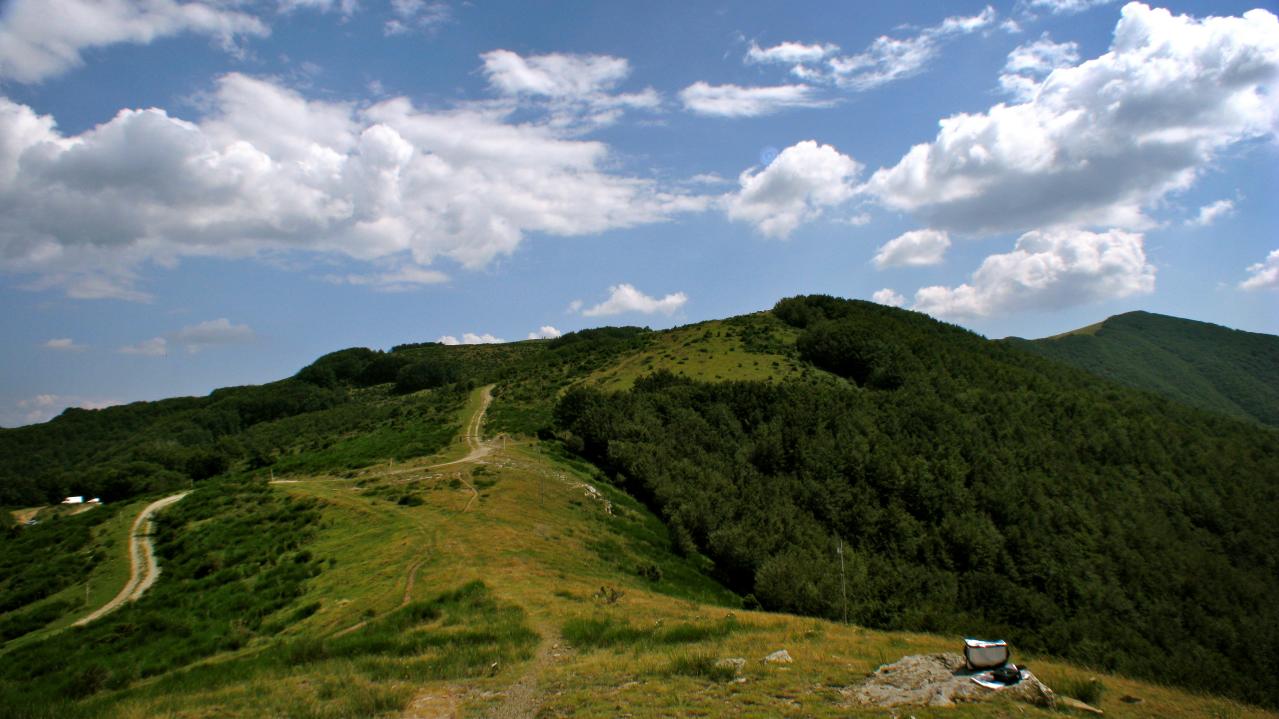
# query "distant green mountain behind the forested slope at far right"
(1204, 365)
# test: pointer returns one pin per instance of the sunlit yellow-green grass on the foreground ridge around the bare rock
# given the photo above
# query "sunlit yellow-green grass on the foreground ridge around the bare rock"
(520, 574)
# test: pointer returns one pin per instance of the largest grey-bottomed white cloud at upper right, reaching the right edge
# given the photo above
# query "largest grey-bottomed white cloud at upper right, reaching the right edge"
(1099, 143)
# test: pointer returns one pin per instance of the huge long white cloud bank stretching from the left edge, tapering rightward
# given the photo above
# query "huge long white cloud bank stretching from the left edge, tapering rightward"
(272, 172)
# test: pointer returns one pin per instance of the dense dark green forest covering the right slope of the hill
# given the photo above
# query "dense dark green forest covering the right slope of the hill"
(961, 486)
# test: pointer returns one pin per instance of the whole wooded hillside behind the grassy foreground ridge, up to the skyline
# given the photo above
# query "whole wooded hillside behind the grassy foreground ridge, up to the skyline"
(973, 487)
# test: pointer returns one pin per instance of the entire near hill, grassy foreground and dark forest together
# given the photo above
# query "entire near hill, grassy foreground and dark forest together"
(650, 492)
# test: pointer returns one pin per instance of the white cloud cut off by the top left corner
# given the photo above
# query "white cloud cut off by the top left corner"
(42, 39)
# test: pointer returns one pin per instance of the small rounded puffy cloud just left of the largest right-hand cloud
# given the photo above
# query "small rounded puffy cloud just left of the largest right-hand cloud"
(795, 189)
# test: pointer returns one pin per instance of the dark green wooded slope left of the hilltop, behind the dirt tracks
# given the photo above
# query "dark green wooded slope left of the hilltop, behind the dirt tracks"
(347, 410)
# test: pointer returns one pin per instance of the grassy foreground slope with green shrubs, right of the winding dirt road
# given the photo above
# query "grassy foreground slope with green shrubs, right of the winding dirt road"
(494, 589)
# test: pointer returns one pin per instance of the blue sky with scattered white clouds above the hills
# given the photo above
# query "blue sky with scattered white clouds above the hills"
(207, 194)
